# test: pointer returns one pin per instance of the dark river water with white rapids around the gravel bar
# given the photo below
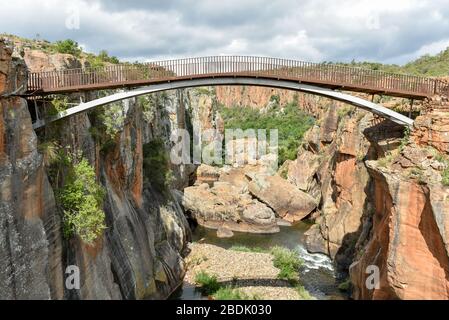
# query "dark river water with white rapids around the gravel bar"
(317, 274)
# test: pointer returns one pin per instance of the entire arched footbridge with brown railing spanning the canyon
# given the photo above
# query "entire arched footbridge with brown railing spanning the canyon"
(317, 78)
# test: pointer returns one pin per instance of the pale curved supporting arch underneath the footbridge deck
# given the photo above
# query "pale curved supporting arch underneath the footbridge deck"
(252, 81)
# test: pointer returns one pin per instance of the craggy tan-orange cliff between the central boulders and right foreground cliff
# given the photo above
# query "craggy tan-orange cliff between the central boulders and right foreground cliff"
(330, 168)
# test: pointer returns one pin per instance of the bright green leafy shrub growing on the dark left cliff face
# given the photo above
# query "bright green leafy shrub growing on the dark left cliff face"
(82, 199)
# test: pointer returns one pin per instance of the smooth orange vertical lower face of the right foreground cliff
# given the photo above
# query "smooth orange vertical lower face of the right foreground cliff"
(409, 244)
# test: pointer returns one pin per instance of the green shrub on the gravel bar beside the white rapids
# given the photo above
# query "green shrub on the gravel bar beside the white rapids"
(288, 262)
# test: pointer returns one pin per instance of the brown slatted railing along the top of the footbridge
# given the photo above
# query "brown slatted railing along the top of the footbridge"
(325, 74)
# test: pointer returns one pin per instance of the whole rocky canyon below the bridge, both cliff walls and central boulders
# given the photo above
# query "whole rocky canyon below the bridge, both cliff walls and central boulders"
(374, 193)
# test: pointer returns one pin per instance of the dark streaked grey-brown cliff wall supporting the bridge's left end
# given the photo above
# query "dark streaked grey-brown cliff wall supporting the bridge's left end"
(141, 252)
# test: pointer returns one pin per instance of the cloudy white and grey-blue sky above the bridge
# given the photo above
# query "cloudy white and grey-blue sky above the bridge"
(392, 31)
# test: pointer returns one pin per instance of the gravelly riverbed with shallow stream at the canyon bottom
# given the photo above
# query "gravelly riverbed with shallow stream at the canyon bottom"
(253, 273)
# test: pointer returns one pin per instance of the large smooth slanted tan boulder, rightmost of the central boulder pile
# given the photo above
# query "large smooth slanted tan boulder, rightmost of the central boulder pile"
(284, 198)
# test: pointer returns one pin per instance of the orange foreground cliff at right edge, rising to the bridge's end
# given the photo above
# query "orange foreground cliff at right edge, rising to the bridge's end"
(409, 234)
